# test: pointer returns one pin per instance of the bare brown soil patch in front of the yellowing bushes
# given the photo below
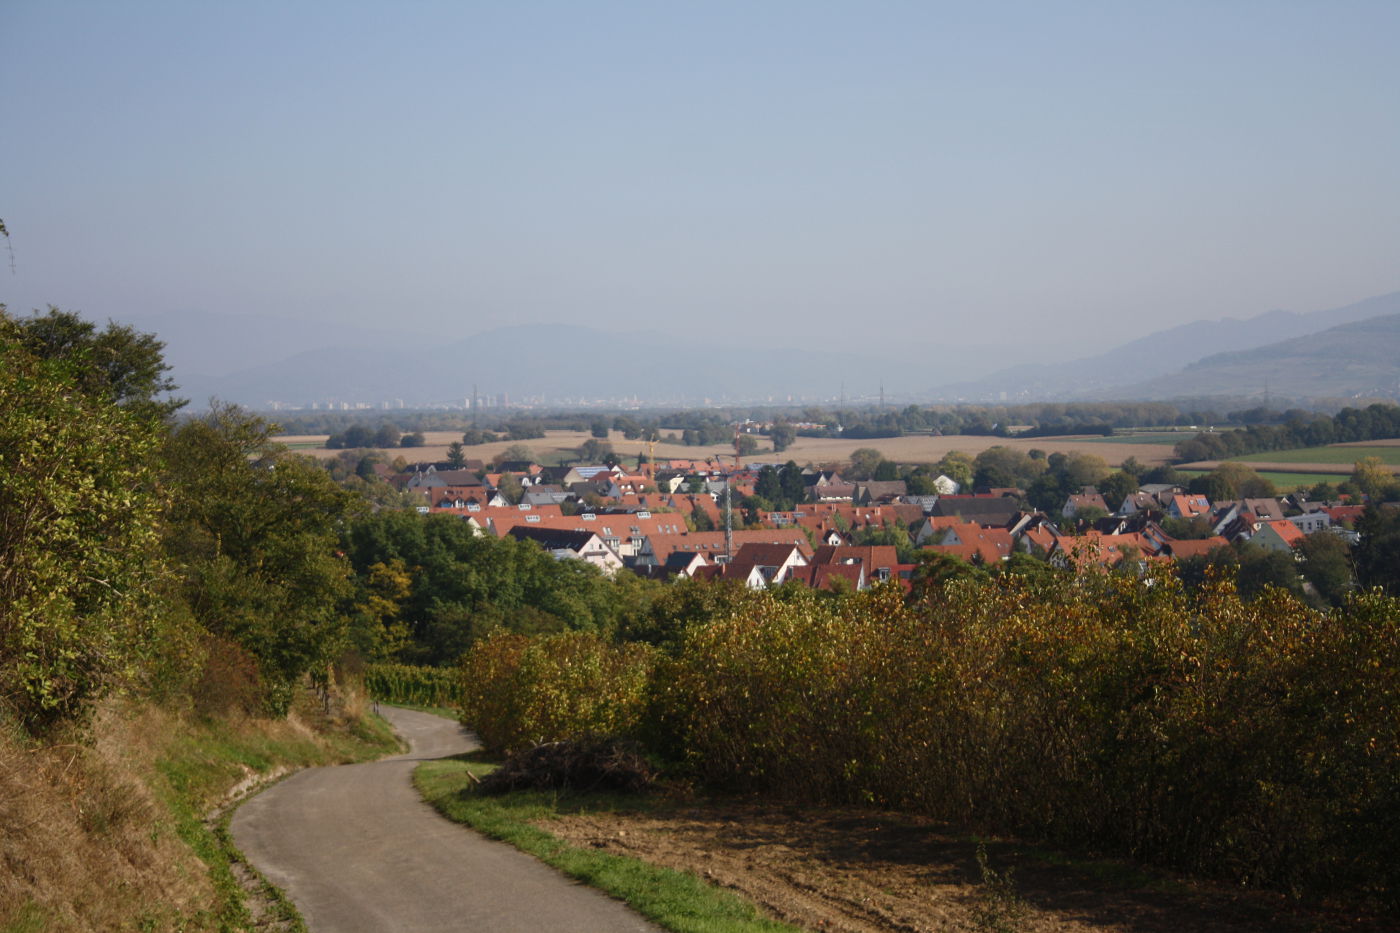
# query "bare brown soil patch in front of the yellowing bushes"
(862, 872)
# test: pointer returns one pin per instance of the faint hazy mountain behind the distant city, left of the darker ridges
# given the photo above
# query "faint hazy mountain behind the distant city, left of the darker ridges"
(556, 365)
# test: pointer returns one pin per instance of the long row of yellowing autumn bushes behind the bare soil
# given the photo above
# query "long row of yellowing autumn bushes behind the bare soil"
(1254, 742)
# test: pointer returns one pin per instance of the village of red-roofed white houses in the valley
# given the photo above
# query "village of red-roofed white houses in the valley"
(682, 519)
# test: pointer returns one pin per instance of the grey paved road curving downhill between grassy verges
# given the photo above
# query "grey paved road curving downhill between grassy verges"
(356, 850)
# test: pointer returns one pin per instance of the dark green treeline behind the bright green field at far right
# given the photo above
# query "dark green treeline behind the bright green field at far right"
(1374, 422)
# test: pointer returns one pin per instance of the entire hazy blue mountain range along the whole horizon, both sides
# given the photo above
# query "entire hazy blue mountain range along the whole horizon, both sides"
(260, 361)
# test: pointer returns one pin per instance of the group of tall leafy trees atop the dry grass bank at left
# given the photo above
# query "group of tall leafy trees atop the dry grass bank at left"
(191, 561)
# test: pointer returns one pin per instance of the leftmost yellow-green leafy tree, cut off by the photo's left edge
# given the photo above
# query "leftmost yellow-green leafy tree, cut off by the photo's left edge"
(80, 565)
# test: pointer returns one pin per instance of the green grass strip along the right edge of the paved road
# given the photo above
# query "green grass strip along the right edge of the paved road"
(675, 900)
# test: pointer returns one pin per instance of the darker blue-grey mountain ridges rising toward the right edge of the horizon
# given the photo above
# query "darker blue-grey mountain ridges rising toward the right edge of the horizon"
(1172, 364)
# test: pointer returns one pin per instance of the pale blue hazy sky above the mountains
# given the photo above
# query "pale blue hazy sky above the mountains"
(1052, 170)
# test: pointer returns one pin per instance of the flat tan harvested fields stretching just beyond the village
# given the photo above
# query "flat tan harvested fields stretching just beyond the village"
(815, 450)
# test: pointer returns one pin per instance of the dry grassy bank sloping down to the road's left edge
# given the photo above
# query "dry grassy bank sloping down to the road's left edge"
(106, 830)
